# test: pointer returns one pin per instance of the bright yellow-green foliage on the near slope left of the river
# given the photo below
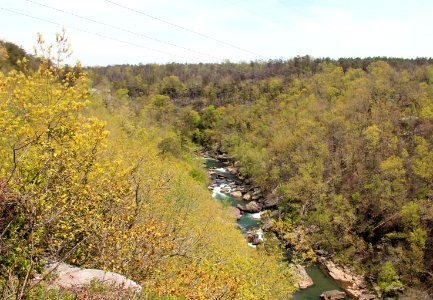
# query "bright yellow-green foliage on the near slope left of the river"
(88, 179)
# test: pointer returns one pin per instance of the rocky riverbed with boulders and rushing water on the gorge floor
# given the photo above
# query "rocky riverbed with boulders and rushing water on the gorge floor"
(248, 204)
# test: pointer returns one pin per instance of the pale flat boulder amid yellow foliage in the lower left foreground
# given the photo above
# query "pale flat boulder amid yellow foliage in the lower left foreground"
(68, 276)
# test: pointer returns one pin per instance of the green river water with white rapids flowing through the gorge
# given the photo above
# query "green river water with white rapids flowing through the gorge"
(251, 223)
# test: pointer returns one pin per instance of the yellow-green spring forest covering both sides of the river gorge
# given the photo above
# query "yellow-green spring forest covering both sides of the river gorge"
(99, 170)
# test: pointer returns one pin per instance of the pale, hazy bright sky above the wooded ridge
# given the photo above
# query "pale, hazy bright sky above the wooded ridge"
(108, 32)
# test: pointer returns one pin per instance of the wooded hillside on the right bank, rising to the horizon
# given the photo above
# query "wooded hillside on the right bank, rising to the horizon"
(346, 146)
